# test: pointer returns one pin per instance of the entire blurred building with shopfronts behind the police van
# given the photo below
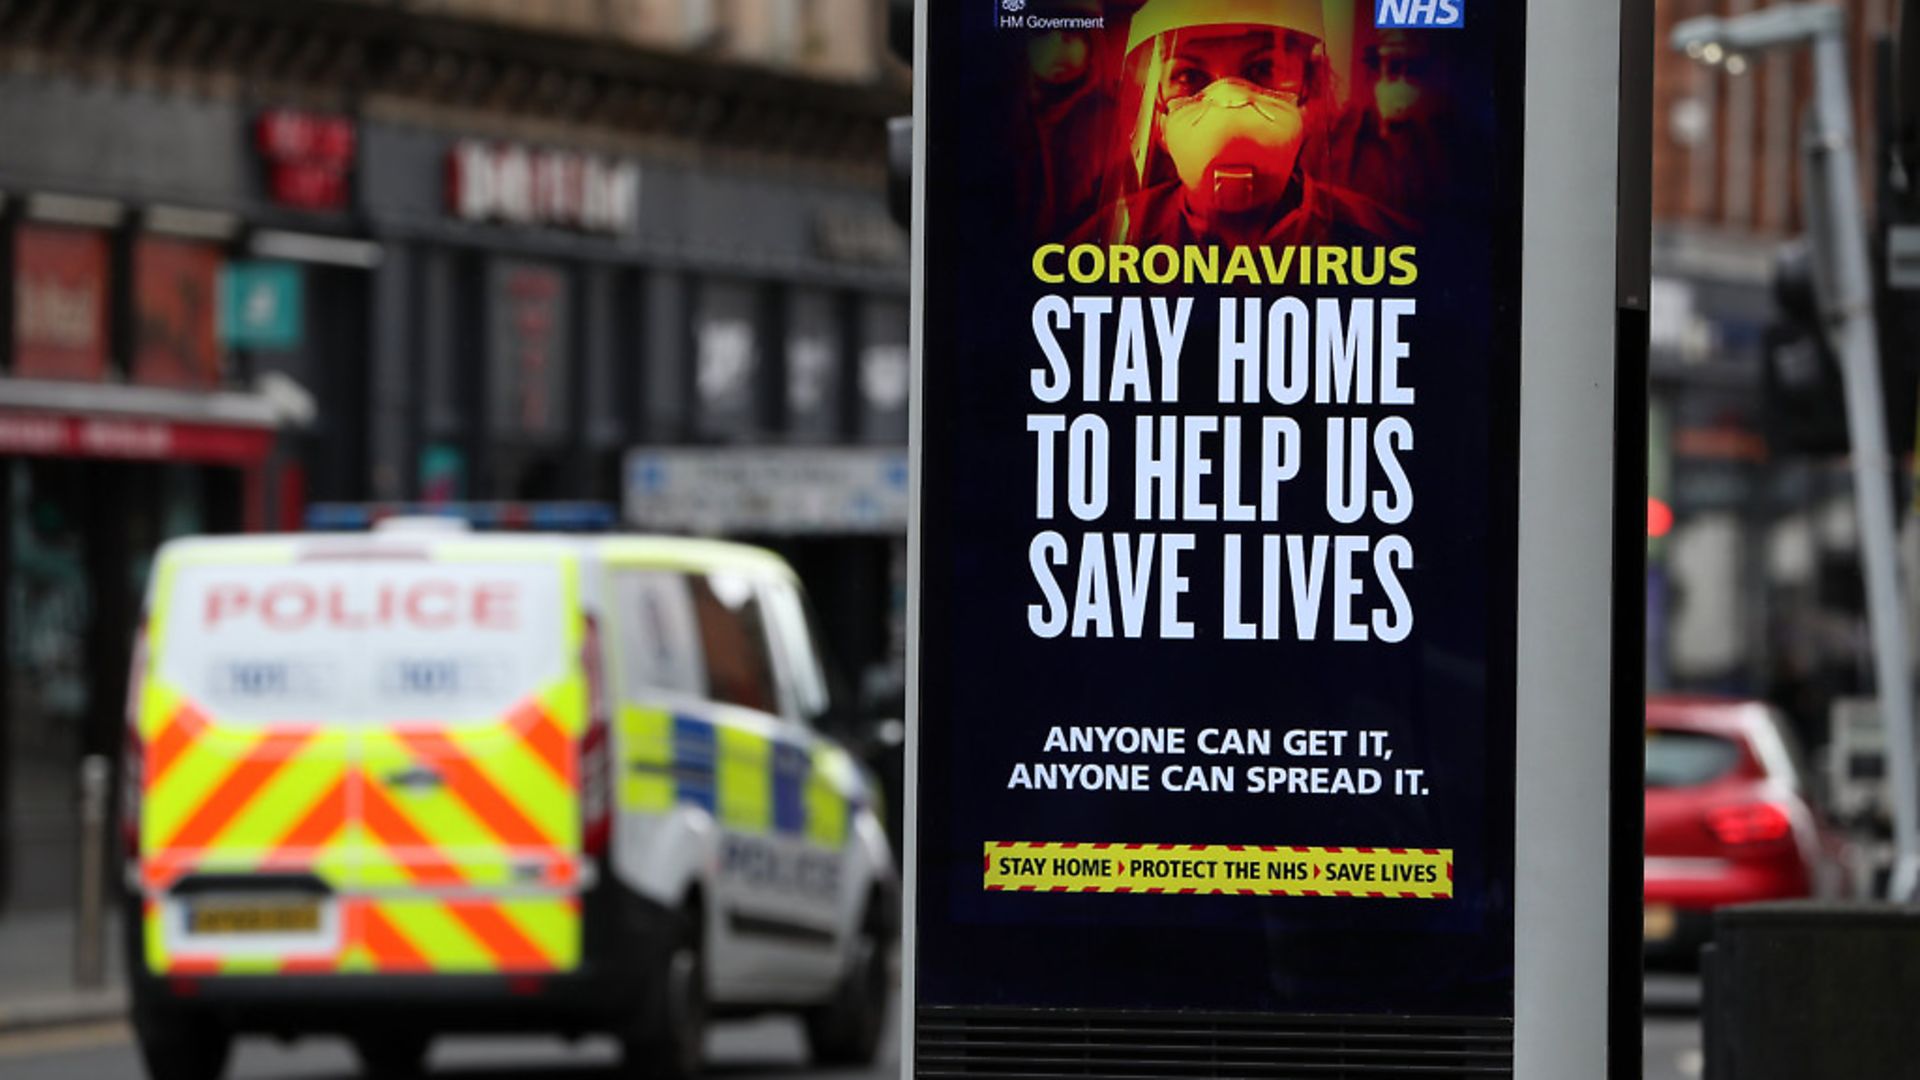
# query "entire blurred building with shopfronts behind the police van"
(266, 257)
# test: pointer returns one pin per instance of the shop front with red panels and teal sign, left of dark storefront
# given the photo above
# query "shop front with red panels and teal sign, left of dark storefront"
(166, 353)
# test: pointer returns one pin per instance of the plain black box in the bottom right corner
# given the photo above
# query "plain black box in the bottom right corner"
(1810, 989)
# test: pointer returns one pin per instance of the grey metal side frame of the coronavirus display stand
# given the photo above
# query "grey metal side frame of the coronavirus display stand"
(1579, 699)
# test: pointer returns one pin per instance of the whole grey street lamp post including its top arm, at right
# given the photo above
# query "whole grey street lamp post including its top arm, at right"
(1848, 310)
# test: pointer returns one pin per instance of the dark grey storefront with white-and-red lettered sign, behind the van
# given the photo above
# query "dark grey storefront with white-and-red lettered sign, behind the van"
(564, 307)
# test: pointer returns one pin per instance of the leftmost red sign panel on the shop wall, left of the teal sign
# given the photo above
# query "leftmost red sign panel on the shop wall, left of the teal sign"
(60, 303)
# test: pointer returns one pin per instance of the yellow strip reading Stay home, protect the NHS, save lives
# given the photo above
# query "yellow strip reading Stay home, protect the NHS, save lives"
(1220, 870)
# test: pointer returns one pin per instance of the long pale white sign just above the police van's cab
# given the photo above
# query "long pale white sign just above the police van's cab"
(763, 491)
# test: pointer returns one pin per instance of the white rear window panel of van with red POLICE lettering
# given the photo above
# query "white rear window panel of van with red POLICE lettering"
(362, 641)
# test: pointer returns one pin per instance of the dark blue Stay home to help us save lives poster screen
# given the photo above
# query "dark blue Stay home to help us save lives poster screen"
(1239, 139)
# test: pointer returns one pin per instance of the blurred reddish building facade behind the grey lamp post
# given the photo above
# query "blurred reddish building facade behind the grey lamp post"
(1754, 583)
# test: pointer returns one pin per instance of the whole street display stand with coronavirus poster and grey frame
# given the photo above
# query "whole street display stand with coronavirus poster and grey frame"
(1220, 541)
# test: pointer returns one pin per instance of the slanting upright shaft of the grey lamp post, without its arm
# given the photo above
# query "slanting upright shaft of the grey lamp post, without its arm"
(1852, 312)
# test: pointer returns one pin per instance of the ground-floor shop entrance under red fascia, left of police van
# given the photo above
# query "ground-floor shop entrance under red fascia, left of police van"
(89, 497)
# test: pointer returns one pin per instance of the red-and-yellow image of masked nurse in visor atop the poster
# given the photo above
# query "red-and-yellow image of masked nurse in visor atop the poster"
(1176, 122)
